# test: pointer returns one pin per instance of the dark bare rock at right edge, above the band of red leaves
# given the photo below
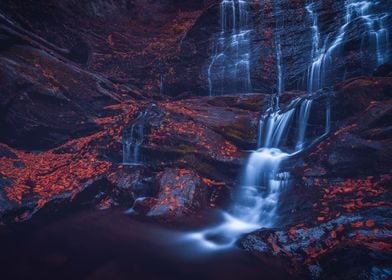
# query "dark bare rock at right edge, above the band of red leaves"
(362, 140)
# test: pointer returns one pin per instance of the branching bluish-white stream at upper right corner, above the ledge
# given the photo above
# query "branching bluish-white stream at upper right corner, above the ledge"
(375, 40)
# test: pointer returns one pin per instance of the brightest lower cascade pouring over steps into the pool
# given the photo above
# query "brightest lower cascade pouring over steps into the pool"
(263, 180)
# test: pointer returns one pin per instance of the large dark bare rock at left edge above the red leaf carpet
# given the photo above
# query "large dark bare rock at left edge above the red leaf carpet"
(48, 103)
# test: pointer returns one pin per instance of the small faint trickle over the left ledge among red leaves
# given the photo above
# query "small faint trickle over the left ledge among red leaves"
(133, 138)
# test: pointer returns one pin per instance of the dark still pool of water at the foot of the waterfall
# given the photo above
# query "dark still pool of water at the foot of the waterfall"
(91, 244)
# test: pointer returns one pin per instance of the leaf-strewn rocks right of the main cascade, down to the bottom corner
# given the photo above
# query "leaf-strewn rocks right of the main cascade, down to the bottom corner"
(334, 215)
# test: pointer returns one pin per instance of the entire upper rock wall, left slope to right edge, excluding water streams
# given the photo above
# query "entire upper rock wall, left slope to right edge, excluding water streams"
(177, 40)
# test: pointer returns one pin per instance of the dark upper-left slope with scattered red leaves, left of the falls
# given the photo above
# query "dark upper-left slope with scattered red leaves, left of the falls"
(120, 40)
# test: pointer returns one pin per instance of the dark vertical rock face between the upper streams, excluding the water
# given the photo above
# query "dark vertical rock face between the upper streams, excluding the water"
(290, 24)
